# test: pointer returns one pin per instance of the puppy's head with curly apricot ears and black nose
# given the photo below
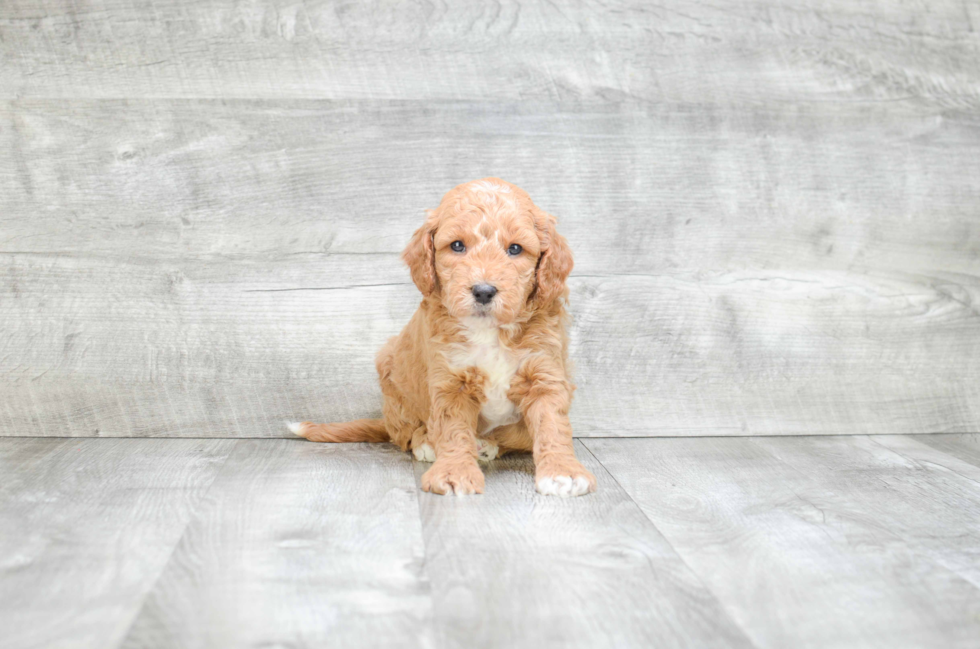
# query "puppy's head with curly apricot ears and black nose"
(489, 252)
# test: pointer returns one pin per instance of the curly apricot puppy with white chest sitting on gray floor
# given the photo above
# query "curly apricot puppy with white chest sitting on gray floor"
(482, 367)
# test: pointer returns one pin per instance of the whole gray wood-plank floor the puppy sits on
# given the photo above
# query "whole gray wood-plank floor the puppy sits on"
(697, 542)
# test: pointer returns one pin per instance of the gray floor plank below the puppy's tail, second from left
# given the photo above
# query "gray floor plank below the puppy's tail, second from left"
(301, 545)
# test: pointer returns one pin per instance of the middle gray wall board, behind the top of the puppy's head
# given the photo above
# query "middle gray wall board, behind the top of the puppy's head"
(638, 188)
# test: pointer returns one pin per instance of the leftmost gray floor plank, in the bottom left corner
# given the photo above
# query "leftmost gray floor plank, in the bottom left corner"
(86, 526)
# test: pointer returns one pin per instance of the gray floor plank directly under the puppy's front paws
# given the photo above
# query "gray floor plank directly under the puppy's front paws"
(512, 568)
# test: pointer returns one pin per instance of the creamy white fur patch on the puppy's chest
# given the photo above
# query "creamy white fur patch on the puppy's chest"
(483, 350)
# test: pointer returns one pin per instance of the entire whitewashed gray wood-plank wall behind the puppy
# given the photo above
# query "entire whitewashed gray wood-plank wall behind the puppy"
(774, 206)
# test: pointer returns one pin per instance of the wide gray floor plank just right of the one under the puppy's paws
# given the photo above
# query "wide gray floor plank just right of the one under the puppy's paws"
(803, 551)
